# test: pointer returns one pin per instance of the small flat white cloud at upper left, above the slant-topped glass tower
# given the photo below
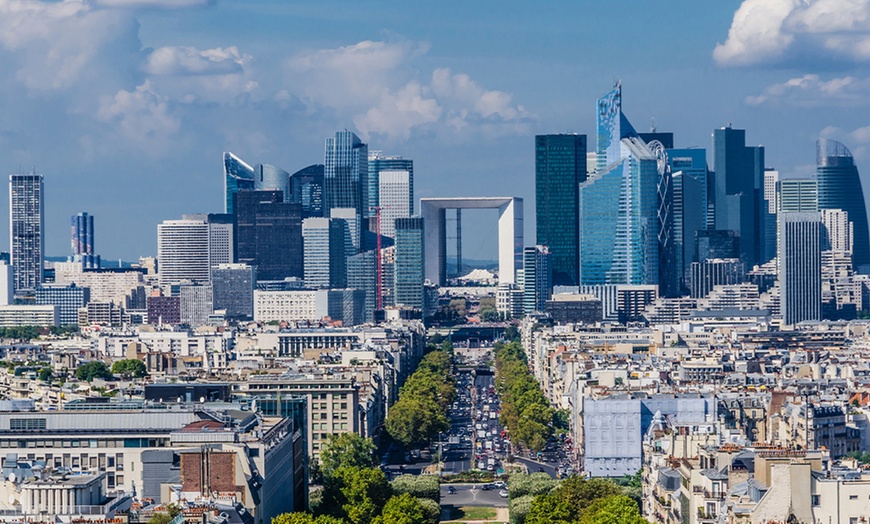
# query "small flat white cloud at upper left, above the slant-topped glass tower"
(180, 60)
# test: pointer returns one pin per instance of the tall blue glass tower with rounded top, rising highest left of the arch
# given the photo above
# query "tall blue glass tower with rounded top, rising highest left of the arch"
(345, 174)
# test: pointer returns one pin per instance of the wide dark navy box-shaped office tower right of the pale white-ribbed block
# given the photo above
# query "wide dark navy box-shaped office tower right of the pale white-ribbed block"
(269, 234)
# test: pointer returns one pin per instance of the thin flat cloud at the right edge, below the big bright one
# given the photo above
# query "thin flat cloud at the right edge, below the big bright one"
(811, 91)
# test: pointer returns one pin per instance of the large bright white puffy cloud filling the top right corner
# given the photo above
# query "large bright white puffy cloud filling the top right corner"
(779, 31)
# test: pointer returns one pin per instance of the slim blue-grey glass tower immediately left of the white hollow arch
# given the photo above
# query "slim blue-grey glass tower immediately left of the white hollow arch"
(408, 286)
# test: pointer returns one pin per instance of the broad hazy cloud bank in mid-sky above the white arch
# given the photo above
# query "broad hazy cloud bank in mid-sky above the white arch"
(378, 85)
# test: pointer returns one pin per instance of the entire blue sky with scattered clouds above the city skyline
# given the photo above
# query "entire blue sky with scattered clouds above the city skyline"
(126, 105)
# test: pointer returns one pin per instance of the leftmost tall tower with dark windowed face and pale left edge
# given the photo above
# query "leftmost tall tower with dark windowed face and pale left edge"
(26, 230)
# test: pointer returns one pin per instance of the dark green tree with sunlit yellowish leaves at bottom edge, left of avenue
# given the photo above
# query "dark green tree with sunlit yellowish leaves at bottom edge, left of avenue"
(355, 494)
